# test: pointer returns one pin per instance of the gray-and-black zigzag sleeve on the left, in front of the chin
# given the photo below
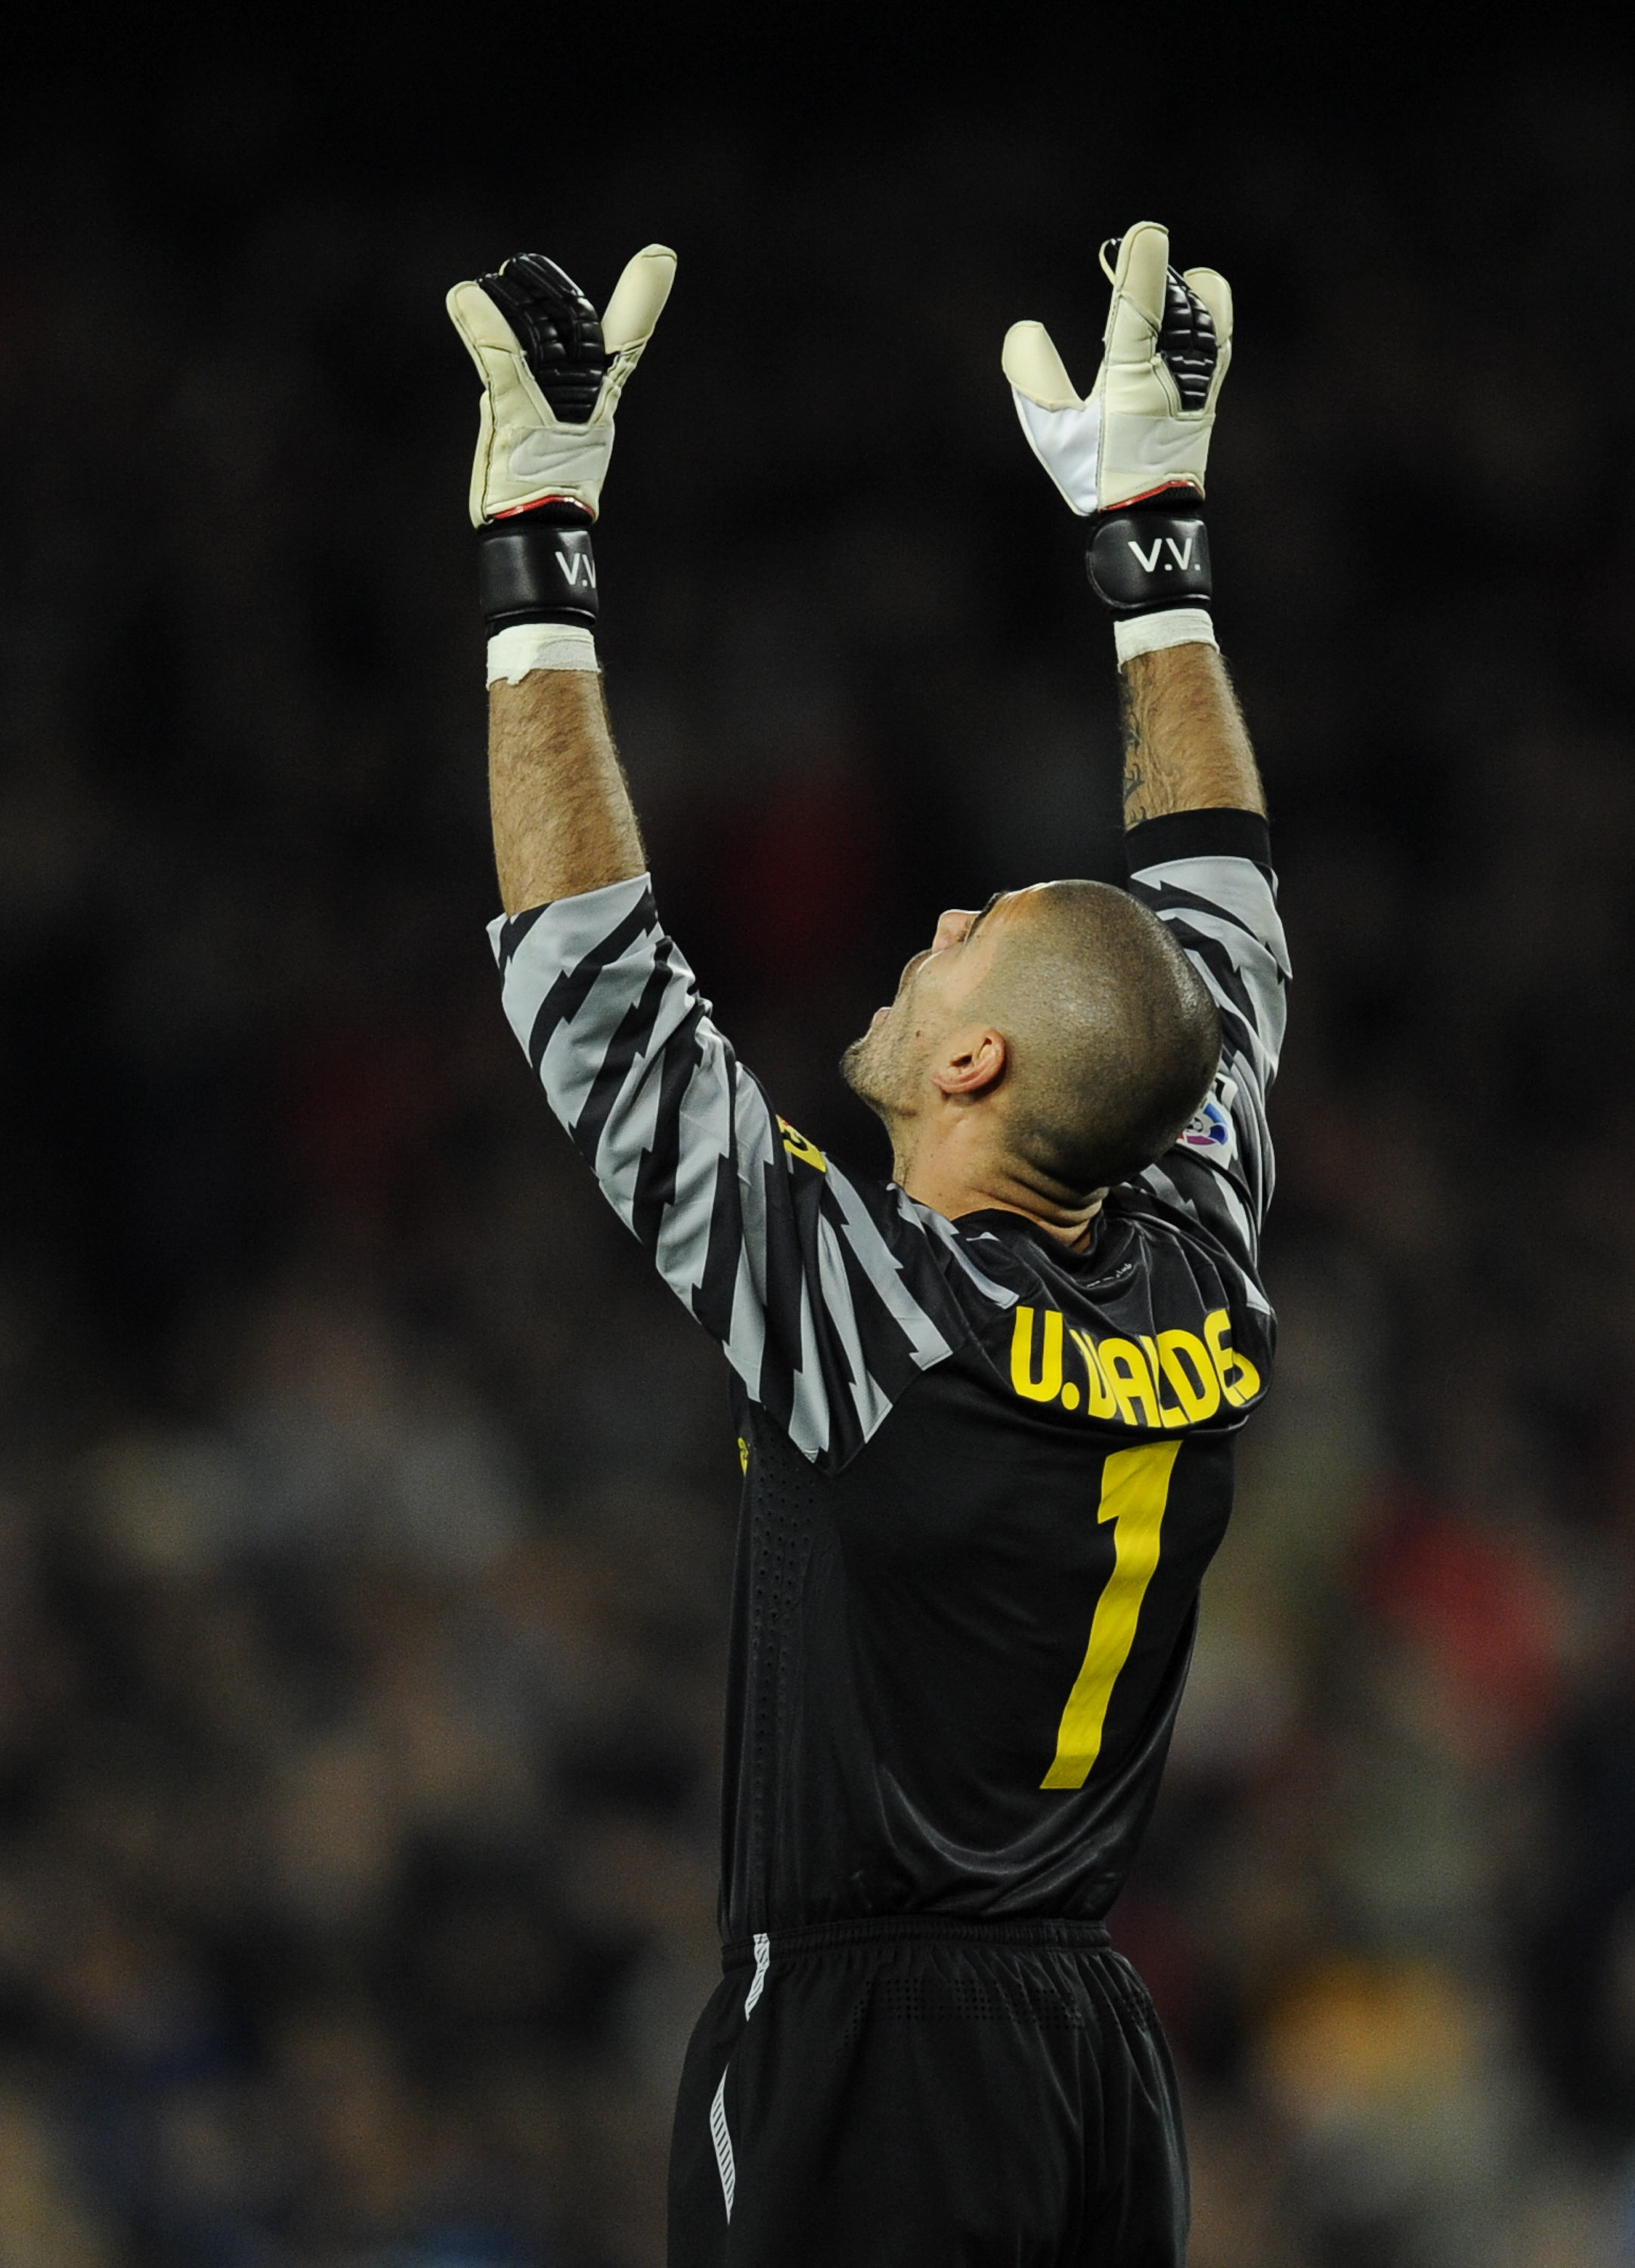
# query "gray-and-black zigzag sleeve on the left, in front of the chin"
(827, 1296)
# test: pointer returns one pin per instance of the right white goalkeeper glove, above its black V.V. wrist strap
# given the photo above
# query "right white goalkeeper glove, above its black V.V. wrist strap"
(1149, 416)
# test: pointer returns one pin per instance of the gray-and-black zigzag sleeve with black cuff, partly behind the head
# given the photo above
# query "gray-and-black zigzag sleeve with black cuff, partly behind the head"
(1223, 913)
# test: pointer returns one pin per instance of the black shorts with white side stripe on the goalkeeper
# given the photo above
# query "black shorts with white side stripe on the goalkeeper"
(929, 2094)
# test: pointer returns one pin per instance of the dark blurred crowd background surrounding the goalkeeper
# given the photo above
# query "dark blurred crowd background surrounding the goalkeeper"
(366, 1509)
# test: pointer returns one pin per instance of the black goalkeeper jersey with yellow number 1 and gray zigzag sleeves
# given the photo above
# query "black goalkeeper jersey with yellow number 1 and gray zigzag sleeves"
(983, 1475)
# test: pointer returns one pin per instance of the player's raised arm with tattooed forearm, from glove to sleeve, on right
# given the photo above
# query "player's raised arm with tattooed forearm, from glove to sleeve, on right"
(1130, 459)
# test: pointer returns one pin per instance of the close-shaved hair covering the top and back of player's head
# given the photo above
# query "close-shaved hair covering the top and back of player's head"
(1110, 1031)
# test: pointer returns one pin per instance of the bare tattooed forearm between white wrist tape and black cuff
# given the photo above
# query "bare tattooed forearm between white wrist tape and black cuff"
(1187, 747)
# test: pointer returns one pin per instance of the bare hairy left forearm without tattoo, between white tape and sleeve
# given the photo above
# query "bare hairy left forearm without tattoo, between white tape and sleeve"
(564, 818)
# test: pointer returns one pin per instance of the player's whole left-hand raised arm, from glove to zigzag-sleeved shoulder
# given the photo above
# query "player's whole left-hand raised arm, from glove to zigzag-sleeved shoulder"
(829, 1298)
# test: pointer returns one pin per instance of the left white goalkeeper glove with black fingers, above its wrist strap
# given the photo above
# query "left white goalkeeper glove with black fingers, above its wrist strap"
(552, 378)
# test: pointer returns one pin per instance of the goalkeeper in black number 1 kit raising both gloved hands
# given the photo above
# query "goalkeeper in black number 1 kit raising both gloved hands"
(988, 1410)
